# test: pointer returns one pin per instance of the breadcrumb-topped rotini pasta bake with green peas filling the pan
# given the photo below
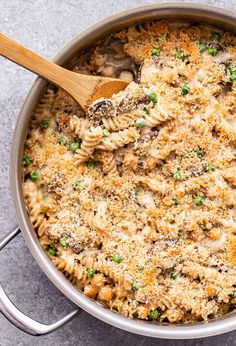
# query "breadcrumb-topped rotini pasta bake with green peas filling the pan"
(135, 200)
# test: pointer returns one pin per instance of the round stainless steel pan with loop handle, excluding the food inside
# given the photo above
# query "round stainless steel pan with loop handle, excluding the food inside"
(171, 11)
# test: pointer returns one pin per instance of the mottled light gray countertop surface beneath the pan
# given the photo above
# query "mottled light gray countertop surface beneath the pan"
(45, 26)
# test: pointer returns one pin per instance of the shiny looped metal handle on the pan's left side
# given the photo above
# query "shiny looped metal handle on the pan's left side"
(15, 316)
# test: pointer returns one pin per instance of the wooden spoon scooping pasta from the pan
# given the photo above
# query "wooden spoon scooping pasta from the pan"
(83, 88)
